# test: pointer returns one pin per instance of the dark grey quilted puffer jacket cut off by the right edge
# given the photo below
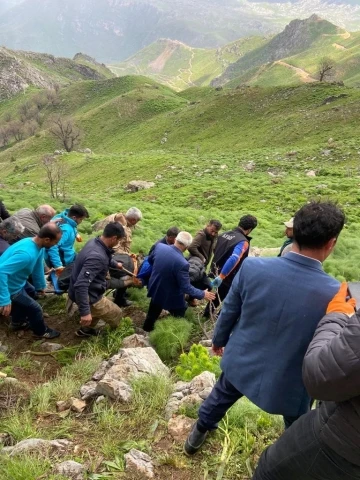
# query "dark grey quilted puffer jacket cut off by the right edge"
(331, 373)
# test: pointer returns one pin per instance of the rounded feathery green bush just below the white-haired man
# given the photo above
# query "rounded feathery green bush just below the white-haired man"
(170, 336)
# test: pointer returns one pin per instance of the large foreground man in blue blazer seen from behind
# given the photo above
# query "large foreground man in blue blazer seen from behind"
(267, 322)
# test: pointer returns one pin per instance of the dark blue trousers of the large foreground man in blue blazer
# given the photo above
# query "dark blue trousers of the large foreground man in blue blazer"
(222, 397)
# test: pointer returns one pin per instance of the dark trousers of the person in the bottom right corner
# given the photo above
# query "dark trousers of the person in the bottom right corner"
(300, 455)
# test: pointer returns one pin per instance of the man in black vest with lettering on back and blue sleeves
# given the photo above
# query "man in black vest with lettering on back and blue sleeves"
(231, 250)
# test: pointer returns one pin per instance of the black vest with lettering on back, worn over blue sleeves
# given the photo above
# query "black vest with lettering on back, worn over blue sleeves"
(224, 249)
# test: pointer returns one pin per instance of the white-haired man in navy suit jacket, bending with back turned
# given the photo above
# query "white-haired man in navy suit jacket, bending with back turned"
(170, 281)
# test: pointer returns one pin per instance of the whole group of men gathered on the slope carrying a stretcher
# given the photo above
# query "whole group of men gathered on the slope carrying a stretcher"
(288, 333)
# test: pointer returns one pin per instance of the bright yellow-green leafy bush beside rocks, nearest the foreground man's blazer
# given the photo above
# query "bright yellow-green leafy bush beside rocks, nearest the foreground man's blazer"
(198, 360)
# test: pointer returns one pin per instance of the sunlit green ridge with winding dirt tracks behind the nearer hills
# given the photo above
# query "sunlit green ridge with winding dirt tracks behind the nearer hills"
(288, 58)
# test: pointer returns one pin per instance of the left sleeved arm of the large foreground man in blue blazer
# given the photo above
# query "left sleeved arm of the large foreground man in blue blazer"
(230, 312)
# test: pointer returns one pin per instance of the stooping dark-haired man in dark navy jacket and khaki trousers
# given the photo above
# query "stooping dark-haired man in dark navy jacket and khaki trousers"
(88, 281)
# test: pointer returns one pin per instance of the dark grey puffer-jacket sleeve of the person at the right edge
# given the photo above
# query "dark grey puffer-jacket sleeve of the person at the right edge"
(331, 369)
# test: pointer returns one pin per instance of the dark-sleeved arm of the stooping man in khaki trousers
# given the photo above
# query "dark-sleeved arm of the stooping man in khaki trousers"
(91, 267)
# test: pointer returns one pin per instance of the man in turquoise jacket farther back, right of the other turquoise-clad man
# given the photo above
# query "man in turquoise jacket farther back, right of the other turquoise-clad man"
(63, 253)
